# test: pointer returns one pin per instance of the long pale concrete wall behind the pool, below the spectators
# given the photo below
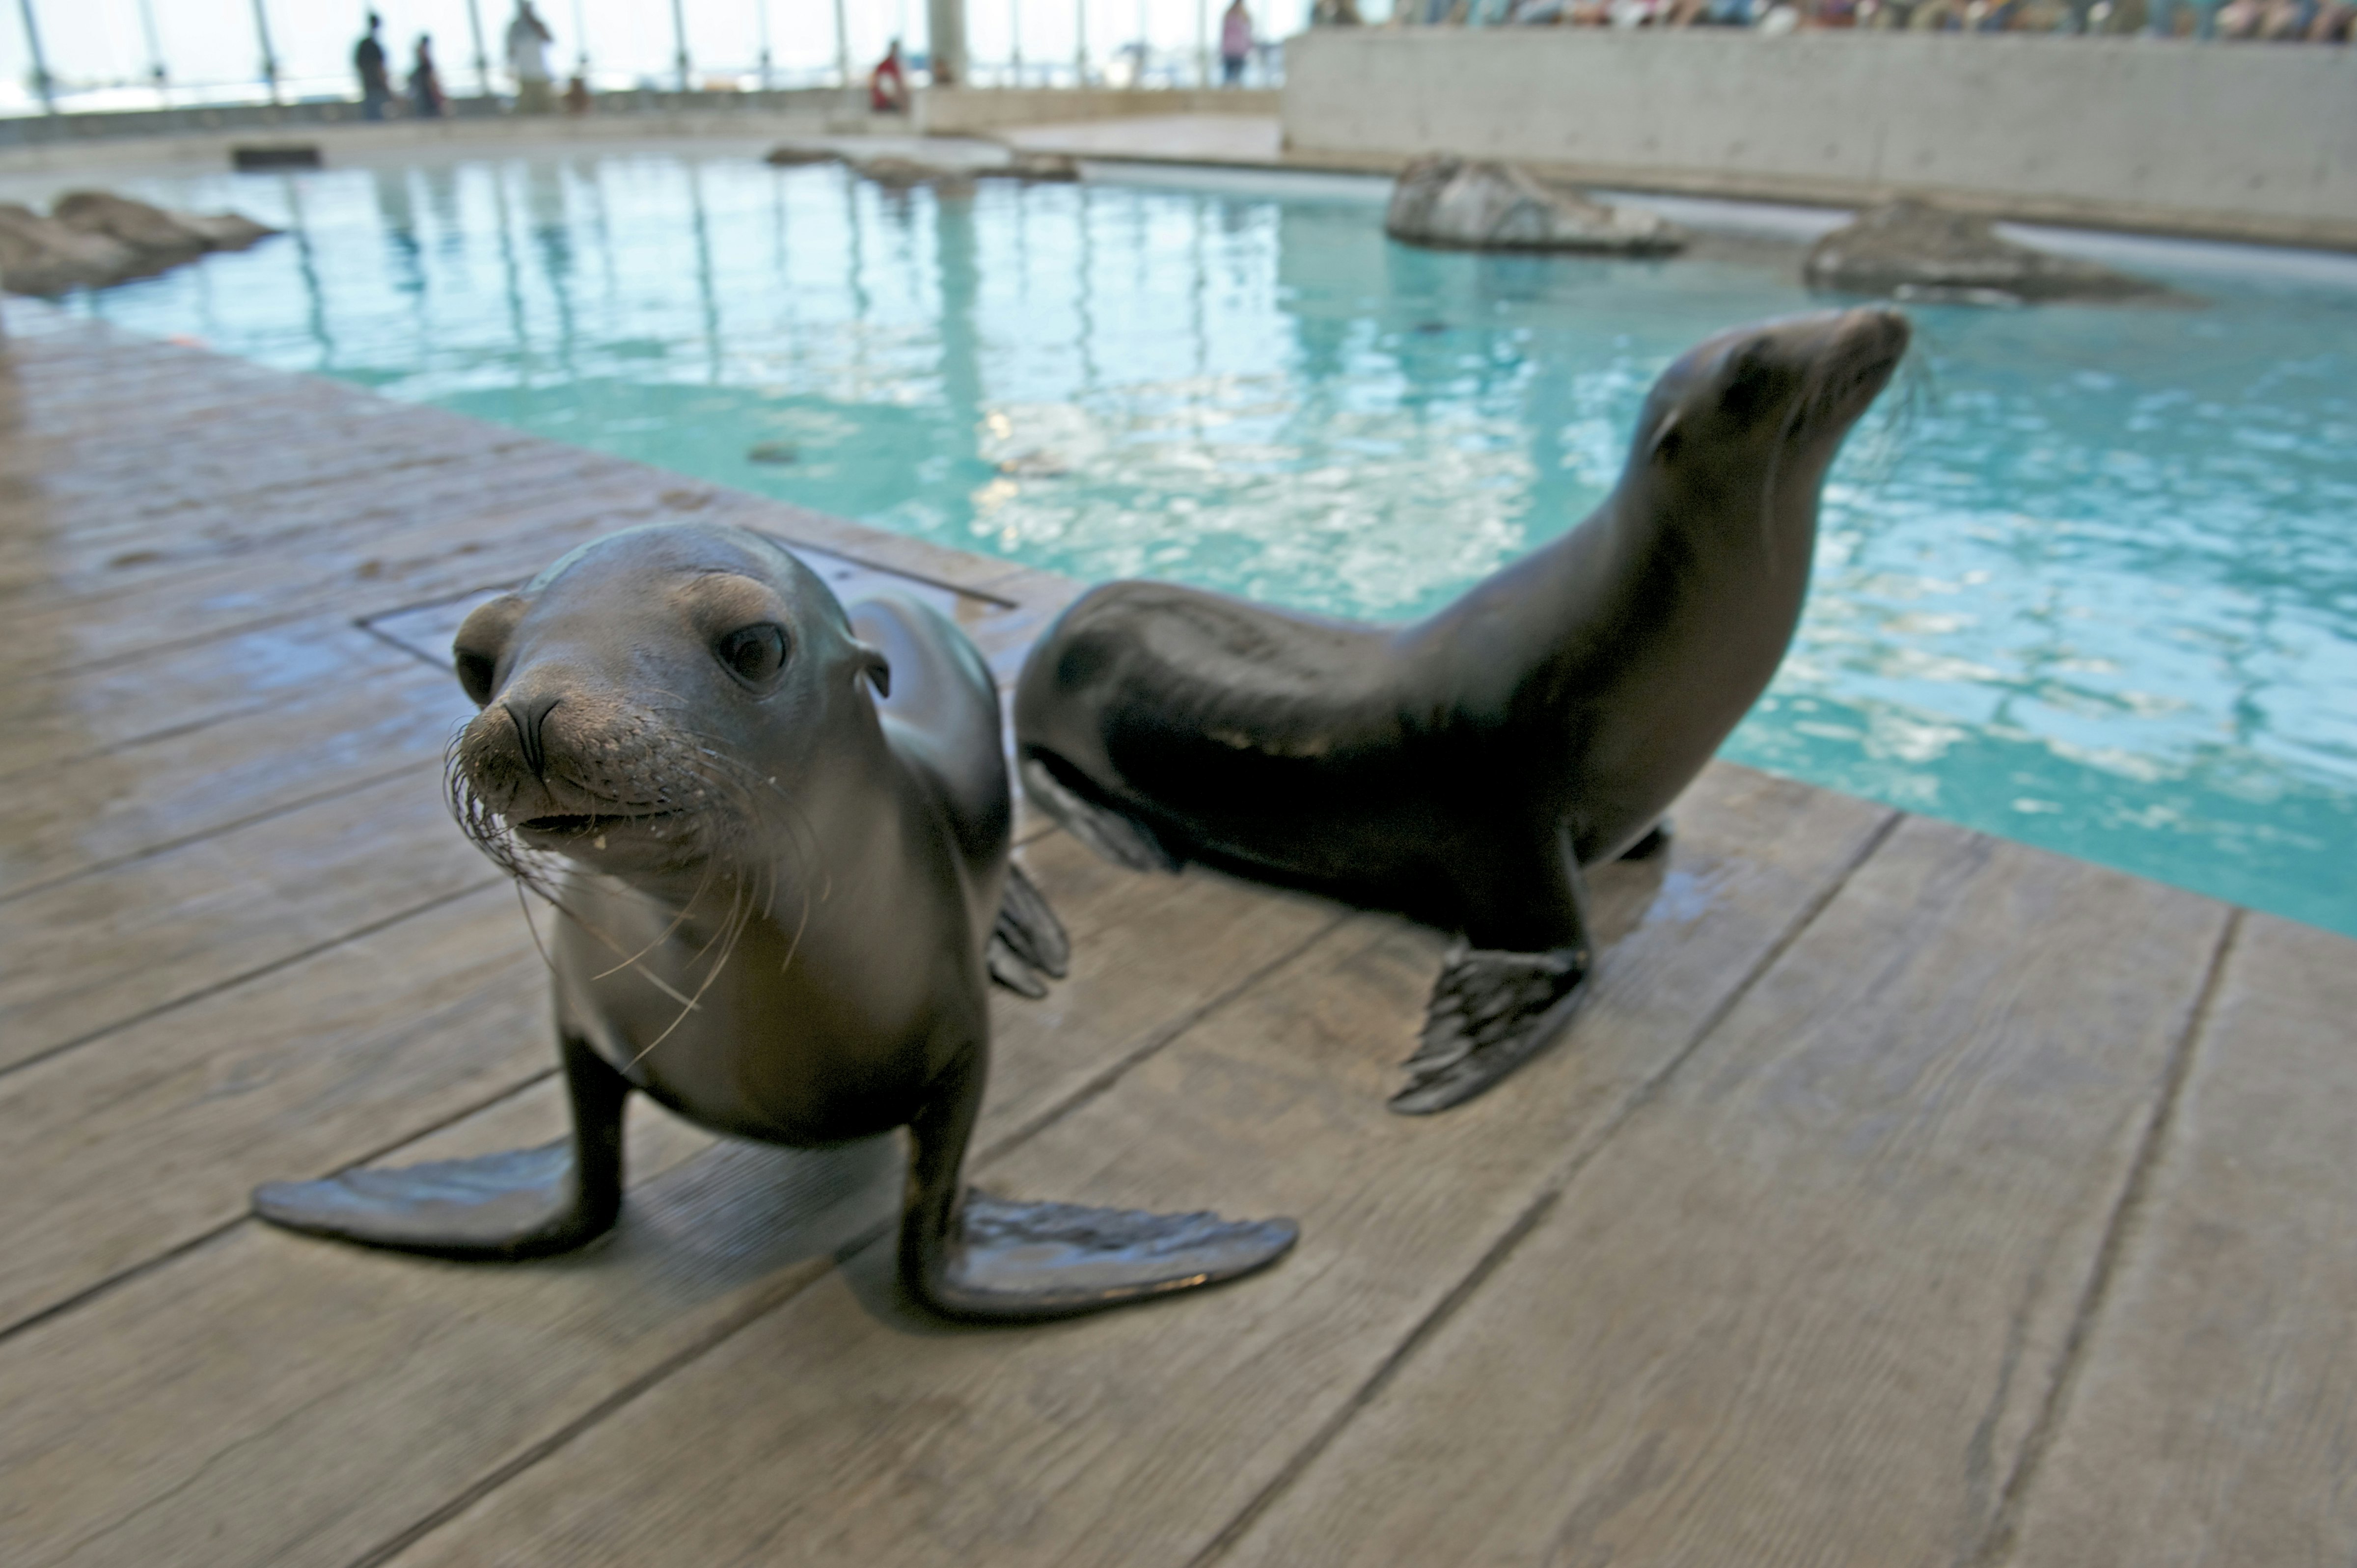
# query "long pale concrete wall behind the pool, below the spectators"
(2240, 140)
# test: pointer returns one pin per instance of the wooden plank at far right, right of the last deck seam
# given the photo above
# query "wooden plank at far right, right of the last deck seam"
(2212, 1416)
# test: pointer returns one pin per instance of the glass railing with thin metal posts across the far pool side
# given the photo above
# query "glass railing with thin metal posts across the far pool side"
(143, 55)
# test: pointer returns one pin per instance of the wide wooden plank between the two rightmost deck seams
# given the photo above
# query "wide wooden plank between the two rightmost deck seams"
(1809, 1305)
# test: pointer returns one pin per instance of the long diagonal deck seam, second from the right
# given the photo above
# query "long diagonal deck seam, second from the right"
(1552, 1190)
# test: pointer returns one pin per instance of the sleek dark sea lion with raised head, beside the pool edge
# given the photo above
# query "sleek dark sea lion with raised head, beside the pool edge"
(1467, 767)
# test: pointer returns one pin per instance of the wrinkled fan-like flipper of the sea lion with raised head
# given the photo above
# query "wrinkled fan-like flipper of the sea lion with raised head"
(1491, 1013)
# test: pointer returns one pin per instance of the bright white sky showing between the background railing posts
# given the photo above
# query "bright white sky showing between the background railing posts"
(213, 41)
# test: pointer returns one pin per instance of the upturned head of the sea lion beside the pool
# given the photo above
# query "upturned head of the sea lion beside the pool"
(1748, 423)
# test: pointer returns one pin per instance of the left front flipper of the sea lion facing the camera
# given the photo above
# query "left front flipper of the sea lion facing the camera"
(508, 1206)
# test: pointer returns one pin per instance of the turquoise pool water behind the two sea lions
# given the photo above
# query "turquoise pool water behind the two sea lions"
(2089, 577)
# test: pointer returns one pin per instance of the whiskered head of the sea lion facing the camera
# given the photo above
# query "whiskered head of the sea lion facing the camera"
(652, 699)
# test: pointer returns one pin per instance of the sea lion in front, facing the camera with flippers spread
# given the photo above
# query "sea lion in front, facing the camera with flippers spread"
(779, 841)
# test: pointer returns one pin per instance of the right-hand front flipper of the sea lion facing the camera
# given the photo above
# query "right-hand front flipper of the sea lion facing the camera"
(989, 1260)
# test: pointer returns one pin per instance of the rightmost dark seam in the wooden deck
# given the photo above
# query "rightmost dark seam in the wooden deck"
(2002, 1536)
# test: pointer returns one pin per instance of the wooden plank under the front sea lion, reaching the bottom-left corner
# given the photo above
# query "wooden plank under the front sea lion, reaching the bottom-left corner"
(220, 1395)
